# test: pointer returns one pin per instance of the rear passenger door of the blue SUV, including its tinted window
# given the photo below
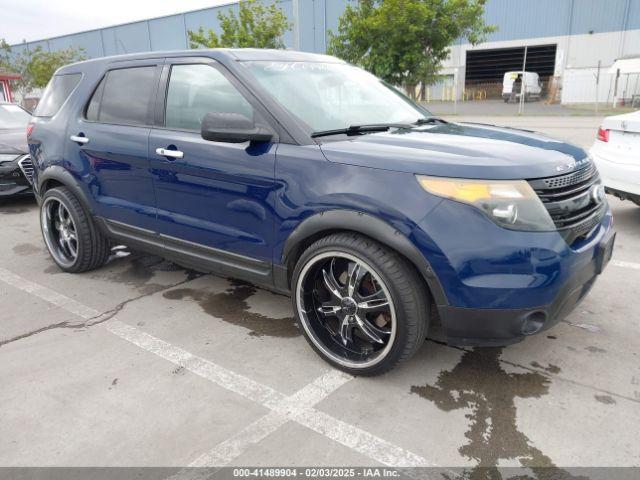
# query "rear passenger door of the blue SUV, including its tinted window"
(112, 137)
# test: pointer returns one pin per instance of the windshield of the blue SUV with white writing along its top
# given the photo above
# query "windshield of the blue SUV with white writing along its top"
(328, 96)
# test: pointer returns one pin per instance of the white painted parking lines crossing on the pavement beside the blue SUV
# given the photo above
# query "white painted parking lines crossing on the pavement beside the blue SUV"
(297, 407)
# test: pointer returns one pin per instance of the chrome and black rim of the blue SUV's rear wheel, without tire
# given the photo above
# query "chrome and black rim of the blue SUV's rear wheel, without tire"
(59, 231)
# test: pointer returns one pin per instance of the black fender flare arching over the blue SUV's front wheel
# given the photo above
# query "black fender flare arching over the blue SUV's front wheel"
(373, 227)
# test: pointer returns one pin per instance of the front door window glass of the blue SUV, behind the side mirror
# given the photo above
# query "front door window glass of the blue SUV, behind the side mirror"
(194, 91)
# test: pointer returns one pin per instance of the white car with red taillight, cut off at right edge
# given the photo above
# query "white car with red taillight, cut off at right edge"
(616, 152)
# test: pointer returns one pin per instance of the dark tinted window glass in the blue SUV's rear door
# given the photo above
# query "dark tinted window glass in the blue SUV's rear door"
(124, 97)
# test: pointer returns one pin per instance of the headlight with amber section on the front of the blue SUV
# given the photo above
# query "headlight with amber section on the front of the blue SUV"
(509, 203)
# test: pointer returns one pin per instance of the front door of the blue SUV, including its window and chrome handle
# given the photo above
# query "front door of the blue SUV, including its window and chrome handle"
(213, 199)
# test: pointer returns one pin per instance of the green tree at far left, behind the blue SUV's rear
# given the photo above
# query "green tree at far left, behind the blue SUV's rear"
(35, 67)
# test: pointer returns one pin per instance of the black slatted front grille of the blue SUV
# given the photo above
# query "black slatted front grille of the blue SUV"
(568, 199)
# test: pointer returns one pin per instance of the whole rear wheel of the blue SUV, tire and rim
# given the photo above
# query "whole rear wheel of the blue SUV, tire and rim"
(73, 240)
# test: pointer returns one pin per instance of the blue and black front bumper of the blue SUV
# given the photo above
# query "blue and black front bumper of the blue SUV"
(503, 285)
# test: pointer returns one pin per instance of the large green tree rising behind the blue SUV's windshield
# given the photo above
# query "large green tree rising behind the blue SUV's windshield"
(405, 42)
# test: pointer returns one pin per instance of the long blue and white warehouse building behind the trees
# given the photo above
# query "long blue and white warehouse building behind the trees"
(571, 44)
